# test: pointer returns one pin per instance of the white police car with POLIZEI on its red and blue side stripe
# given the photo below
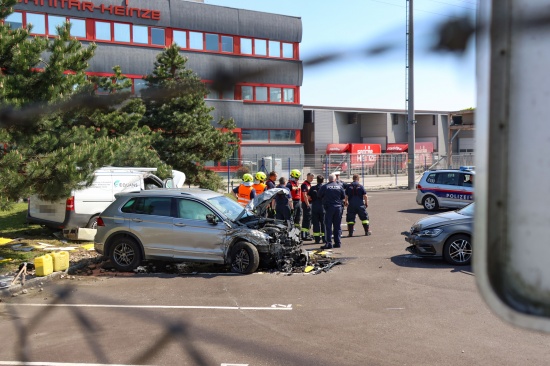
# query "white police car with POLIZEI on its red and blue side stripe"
(450, 188)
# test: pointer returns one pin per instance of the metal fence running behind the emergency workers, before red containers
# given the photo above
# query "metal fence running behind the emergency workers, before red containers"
(347, 164)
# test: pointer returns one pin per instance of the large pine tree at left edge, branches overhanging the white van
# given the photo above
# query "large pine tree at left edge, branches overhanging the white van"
(61, 147)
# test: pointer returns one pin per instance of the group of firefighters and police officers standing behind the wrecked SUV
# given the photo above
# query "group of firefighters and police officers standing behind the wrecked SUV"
(320, 206)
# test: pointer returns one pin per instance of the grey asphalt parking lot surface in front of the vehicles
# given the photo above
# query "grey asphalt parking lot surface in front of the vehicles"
(382, 306)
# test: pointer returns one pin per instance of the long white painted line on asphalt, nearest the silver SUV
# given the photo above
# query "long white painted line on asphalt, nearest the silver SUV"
(272, 307)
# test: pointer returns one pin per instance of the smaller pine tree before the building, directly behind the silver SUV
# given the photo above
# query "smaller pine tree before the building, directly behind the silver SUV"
(177, 110)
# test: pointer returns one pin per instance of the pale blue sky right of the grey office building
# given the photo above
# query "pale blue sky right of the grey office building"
(442, 82)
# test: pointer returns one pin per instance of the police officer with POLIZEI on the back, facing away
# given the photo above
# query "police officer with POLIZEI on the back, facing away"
(333, 196)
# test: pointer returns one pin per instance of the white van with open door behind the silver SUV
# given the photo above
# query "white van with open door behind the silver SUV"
(82, 208)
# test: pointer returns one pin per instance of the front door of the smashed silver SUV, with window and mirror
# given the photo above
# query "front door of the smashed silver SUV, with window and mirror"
(195, 237)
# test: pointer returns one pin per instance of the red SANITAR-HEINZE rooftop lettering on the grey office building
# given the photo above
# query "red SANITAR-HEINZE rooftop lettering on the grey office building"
(118, 10)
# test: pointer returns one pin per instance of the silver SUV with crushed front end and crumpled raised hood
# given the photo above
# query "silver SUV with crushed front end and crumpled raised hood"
(195, 225)
